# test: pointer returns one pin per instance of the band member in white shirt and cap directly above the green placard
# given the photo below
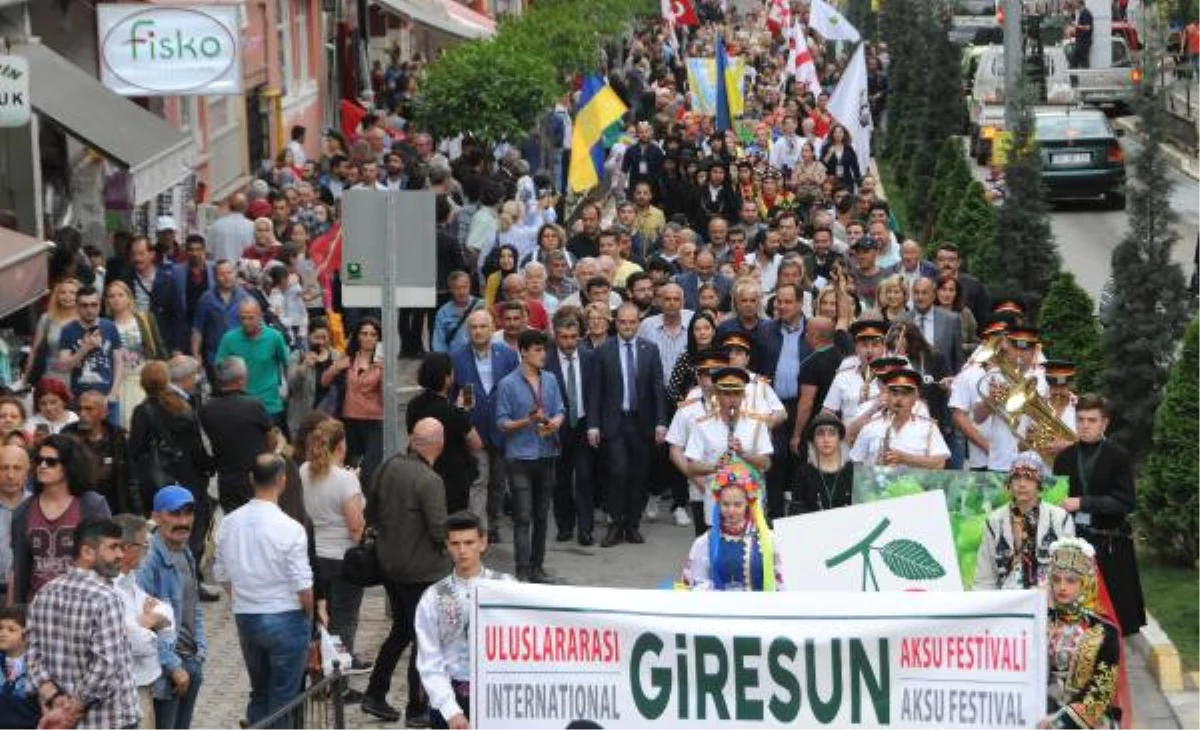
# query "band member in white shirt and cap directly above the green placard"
(901, 438)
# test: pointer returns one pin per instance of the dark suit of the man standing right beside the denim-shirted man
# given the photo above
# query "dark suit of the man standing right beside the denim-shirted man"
(575, 490)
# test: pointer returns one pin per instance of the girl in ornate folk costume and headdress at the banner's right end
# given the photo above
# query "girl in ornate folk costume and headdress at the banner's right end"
(1084, 648)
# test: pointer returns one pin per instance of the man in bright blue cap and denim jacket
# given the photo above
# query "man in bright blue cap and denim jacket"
(170, 575)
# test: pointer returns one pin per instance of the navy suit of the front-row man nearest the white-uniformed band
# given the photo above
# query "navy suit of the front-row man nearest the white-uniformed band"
(627, 435)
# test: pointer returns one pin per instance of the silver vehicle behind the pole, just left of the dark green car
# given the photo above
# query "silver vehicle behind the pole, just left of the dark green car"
(986, 105)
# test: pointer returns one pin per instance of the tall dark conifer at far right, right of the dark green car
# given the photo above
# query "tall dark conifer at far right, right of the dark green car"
(1148, 312)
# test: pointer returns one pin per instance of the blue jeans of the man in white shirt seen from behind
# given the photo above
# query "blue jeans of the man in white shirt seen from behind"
(275, 648)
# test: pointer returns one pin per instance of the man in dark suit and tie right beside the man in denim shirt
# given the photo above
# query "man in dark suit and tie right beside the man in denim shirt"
(573, 367)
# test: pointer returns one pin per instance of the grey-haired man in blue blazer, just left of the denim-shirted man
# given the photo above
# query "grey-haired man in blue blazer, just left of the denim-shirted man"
(482, 364)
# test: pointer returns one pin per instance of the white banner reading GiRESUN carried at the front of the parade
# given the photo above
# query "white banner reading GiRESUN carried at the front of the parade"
(548, 656)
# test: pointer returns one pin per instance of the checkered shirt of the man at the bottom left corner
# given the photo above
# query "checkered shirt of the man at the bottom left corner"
(77, 641)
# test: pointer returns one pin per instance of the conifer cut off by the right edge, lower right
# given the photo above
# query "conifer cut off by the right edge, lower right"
(1169, 496)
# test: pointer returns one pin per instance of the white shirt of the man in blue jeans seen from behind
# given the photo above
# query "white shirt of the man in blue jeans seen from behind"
(265, 554)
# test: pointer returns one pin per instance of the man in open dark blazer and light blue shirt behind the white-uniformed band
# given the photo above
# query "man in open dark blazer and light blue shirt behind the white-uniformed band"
(779, 352)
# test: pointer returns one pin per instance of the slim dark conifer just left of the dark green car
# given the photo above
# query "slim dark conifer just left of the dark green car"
(1024, 260)
